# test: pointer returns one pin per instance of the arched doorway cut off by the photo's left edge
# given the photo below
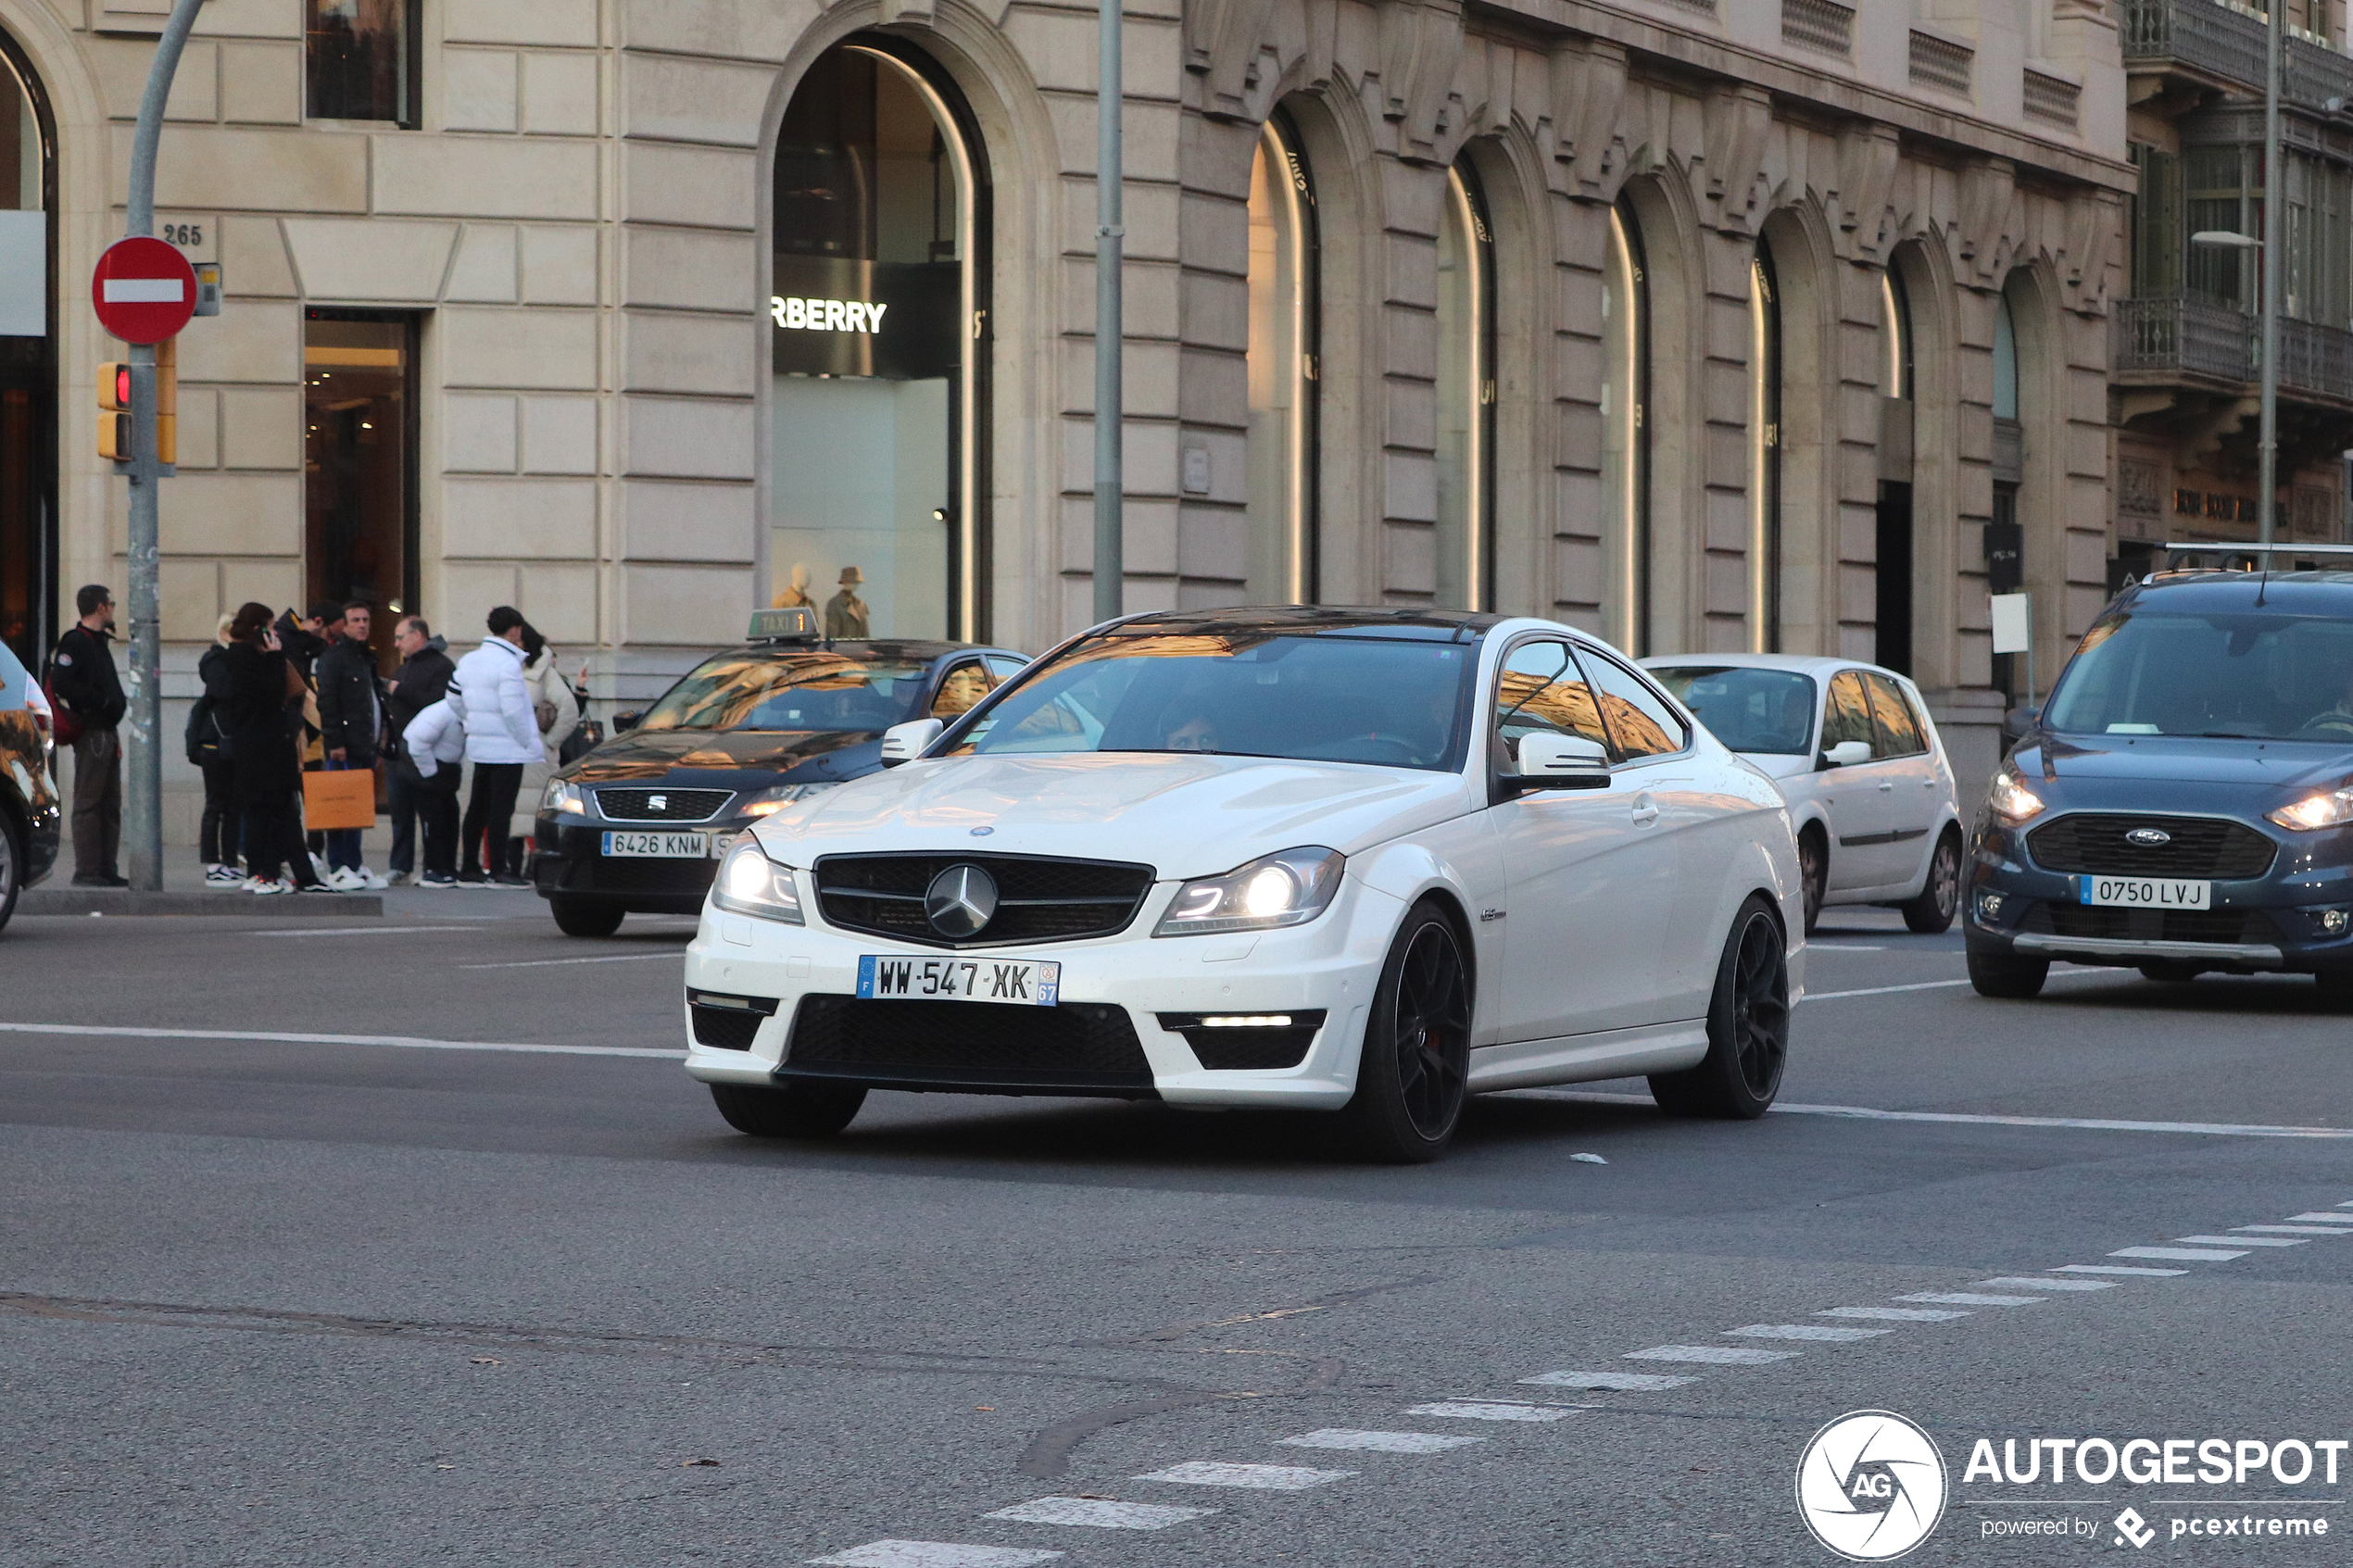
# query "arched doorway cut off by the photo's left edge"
(27, 361)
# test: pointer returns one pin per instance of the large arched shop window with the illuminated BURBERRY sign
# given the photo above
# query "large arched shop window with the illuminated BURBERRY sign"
(879, 349)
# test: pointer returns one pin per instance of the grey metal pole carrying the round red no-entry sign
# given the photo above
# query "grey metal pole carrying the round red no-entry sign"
(142, 760)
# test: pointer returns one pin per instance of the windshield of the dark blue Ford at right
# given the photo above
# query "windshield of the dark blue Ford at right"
(2241, 676)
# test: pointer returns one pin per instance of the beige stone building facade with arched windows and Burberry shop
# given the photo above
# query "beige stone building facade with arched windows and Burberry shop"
(1702, 323)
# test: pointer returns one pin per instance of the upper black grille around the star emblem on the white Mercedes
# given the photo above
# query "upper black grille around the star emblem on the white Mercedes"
(1039, 899)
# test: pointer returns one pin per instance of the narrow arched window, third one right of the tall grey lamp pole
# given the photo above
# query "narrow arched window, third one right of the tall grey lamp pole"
(1625, 438)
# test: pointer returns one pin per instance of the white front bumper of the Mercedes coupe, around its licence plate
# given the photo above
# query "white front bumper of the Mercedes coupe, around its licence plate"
(789, 996)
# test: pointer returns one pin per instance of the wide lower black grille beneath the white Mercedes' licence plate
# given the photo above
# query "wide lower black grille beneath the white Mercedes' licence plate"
(1079, 1047)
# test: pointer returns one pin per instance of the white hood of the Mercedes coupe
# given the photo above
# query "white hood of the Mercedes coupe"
(1185, 815)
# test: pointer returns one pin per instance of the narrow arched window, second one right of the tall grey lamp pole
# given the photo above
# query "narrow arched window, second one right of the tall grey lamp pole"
(1465, 565)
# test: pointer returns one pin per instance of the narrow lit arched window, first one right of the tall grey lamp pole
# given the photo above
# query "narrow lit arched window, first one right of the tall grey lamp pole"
(1284, 354)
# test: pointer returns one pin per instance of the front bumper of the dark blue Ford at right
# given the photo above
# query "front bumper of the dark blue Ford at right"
(2274, 923)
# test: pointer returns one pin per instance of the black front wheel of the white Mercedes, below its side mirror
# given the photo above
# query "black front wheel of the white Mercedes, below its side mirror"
(1415, 1068)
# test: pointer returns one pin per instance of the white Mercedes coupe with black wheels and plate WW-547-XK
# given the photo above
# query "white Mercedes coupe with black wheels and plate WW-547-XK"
(1359, 862)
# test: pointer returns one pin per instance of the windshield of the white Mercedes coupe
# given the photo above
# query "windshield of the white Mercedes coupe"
(1251, 695)
